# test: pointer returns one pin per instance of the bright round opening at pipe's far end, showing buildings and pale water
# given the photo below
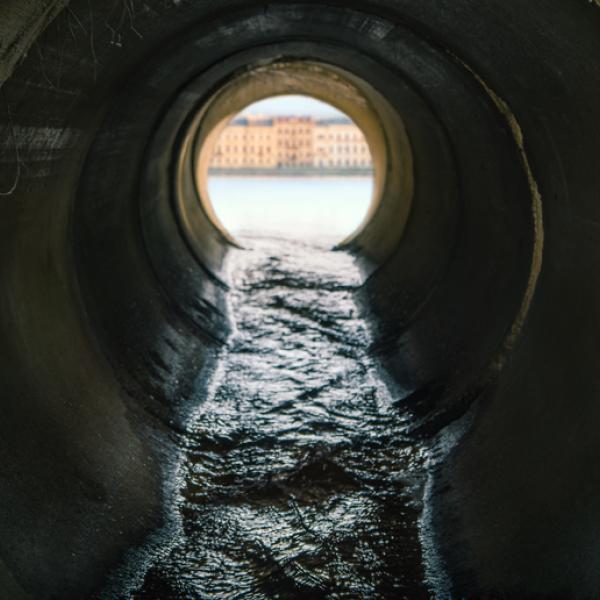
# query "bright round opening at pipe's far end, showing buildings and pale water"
(291, 166)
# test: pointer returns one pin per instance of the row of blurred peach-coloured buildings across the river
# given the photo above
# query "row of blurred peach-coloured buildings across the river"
(295, 142)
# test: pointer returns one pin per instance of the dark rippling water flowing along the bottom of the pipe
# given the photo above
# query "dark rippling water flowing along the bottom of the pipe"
(299, 482)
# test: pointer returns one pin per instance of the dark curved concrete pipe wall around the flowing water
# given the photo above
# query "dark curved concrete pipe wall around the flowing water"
(486, 307)
